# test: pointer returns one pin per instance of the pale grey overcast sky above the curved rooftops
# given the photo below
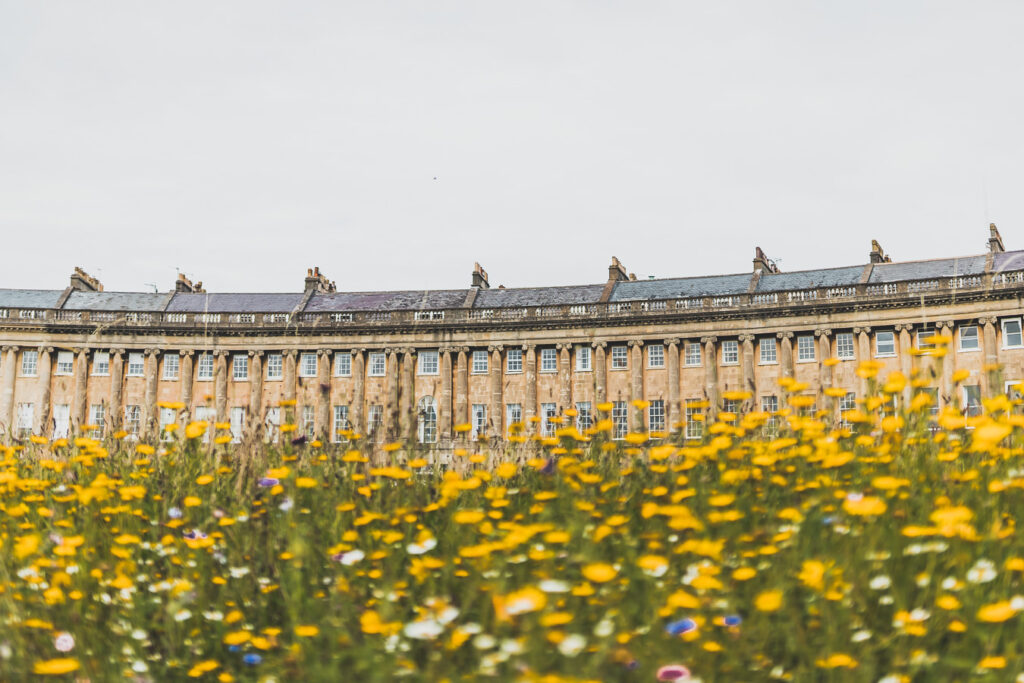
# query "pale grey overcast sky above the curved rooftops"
(395, 144)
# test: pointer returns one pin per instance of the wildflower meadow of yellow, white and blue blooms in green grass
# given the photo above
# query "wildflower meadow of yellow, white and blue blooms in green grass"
(778, 547)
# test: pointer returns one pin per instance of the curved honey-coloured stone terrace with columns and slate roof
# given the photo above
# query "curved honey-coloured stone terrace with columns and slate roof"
(414, 365)
